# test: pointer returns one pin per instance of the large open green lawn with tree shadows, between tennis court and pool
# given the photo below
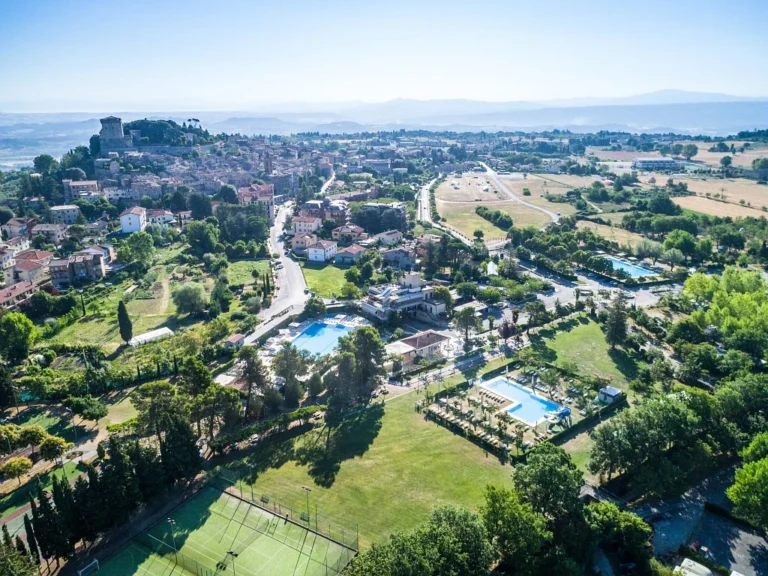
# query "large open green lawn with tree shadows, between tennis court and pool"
(384, 470)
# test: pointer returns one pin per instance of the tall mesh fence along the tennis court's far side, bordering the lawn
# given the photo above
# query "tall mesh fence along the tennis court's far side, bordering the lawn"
(230, 481)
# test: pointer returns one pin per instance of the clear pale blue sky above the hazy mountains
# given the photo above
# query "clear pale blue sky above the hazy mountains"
(79, 55)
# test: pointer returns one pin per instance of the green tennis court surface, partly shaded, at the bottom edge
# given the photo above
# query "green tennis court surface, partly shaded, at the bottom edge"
(217, 533)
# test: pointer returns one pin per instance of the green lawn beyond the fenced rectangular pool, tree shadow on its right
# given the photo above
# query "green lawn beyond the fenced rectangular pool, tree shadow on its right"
(584, 344)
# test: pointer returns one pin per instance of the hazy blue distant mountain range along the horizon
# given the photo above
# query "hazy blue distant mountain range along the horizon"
(23, 134)
